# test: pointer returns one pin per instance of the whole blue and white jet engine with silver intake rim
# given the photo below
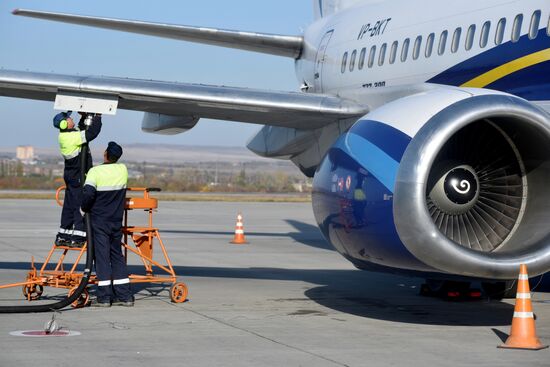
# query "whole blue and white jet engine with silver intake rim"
(452, 181)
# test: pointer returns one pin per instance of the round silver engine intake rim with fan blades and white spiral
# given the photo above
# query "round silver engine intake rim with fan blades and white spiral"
(471, 195)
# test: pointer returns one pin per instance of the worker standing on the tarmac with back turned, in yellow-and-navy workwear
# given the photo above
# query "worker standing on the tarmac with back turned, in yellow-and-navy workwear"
(104, 197)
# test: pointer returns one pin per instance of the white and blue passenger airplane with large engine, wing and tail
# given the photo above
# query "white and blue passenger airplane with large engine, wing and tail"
(426, 132)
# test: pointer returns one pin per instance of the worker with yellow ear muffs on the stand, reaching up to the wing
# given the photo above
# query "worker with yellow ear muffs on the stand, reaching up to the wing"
(72, 232)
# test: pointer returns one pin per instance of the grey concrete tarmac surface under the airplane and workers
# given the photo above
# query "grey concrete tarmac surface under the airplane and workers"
(285, 299)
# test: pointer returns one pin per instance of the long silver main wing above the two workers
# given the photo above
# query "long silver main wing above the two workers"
(286, 109)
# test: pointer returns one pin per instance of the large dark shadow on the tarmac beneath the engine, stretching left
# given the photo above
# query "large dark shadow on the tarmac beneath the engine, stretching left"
(360, 293)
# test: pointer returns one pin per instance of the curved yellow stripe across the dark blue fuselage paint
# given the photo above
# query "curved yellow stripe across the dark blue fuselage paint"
(510, 67)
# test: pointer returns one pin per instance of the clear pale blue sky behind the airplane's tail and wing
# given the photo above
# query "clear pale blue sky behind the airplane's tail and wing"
(37, 45)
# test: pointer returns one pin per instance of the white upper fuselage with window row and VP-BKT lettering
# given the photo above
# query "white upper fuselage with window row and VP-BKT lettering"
(333, 61)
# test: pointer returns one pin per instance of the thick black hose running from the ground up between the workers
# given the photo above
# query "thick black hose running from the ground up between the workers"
(89, 258)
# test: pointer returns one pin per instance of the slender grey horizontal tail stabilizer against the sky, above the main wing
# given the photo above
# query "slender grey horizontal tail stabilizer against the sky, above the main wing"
(274, 44)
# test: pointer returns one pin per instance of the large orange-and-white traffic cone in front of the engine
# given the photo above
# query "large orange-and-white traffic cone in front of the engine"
(523, 334)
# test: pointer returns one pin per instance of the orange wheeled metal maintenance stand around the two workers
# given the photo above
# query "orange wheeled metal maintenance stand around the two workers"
(138, 240)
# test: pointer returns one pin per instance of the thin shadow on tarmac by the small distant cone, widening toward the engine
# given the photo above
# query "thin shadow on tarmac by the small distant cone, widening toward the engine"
(305, 234)
